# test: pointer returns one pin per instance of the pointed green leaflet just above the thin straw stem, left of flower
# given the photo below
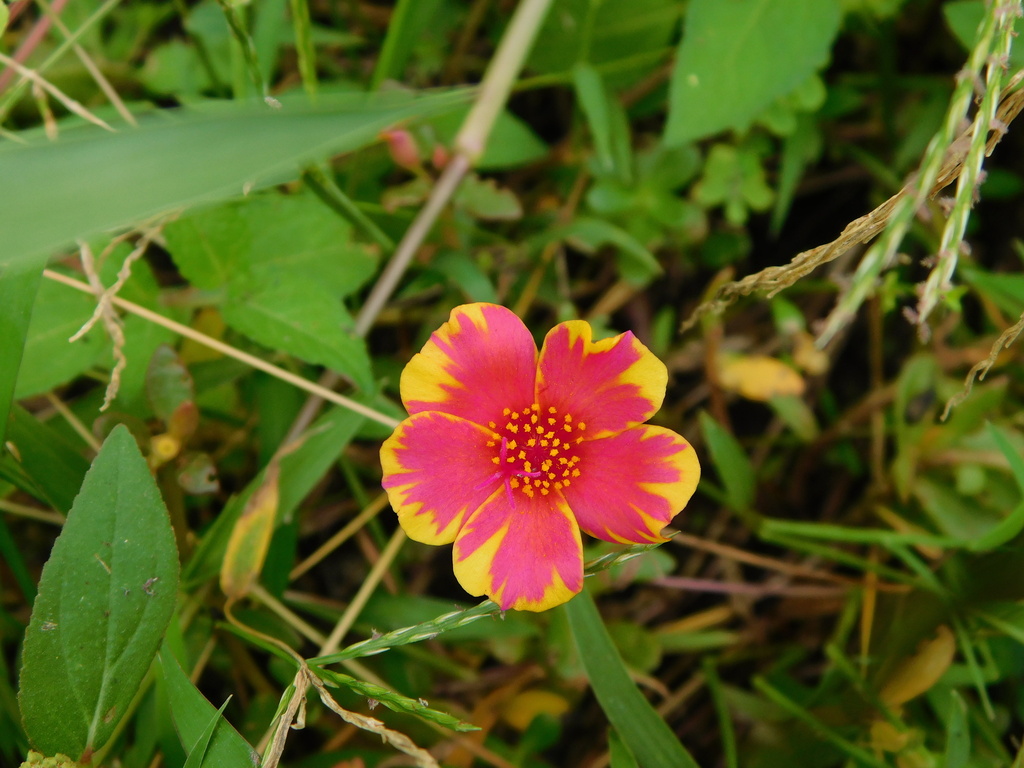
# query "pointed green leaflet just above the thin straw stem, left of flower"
(305, 319)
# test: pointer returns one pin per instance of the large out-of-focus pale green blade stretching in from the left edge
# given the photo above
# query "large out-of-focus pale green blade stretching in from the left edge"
(92, 181)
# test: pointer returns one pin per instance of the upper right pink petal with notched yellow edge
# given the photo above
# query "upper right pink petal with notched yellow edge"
(610, 386)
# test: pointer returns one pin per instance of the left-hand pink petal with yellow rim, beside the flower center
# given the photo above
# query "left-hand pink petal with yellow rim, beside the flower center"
(436, 468)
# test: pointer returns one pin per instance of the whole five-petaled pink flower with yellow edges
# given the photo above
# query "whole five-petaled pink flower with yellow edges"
(509, 454)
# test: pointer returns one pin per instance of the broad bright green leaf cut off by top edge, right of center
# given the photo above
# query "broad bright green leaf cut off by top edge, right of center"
(737, 58)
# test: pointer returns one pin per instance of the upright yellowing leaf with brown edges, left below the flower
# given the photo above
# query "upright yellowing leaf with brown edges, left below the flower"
(251, 538)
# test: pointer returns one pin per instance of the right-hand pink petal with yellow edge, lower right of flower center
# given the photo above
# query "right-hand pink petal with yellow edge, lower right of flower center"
(632, 485)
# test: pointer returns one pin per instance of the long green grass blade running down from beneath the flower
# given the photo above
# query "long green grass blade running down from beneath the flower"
(649, 738)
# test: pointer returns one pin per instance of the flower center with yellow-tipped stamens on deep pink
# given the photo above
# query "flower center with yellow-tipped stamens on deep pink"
(536, 451)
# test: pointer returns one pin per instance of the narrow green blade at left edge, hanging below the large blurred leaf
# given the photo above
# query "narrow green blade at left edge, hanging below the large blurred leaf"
(18, 295)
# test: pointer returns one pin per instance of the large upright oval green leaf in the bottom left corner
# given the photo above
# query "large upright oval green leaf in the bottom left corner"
(106, 598)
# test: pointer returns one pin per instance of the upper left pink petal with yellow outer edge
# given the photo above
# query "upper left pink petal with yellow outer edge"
(483, 361)
